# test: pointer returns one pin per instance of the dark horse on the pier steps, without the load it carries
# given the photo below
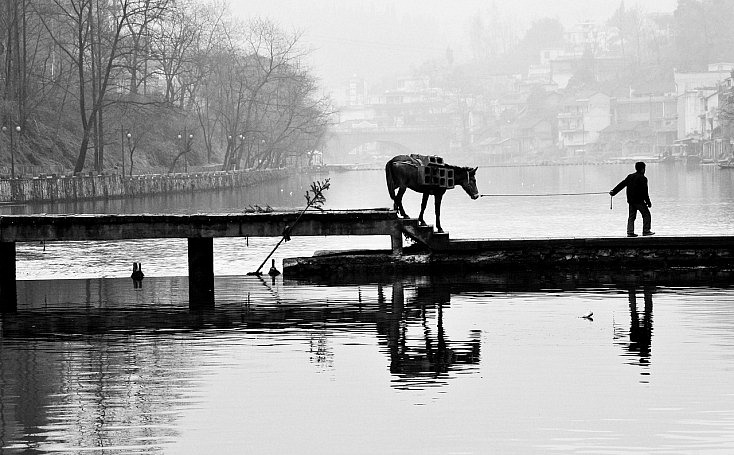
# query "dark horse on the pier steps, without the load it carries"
(406, 171)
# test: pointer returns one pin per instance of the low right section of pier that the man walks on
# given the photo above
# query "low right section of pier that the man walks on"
(525, 254)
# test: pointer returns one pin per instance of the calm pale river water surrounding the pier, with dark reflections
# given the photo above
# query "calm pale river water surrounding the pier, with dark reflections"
(427, 365)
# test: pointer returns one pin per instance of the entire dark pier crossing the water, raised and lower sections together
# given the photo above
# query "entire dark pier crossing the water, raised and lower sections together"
(432, 253)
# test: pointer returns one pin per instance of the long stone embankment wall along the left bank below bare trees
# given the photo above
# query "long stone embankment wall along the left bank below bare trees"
(103, 186)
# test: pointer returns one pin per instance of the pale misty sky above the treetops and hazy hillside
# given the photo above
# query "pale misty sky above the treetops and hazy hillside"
(376, 38)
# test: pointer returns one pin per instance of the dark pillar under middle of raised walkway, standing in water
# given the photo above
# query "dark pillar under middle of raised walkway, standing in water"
(201, 273)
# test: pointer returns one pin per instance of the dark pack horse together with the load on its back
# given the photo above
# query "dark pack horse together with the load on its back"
(428, 175)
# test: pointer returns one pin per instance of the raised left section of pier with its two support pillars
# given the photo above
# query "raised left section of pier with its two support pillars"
(199, 229)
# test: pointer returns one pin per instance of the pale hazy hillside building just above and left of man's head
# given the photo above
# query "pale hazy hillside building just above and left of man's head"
(580, 121)
